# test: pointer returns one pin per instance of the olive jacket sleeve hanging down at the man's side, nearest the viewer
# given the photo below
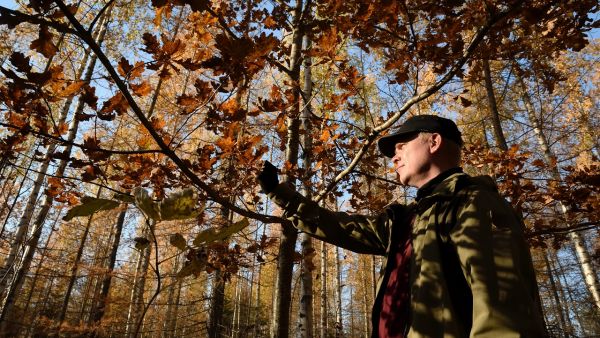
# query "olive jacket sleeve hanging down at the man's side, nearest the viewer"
(497, 266)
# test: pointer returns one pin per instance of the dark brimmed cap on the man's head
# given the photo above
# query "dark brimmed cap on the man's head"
(420, 123)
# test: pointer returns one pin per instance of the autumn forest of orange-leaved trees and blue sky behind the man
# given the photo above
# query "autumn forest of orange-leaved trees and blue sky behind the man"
(131, 133)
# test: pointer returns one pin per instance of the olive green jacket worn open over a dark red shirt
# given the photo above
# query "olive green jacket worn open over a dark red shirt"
(471, 272)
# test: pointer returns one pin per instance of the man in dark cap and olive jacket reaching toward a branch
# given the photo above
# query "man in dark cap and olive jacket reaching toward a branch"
(456, 265)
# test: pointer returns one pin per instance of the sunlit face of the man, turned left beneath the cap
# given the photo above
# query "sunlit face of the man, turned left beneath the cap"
(412, 160)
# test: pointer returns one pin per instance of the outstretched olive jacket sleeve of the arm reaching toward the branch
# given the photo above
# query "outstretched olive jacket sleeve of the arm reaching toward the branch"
(358, 233)
